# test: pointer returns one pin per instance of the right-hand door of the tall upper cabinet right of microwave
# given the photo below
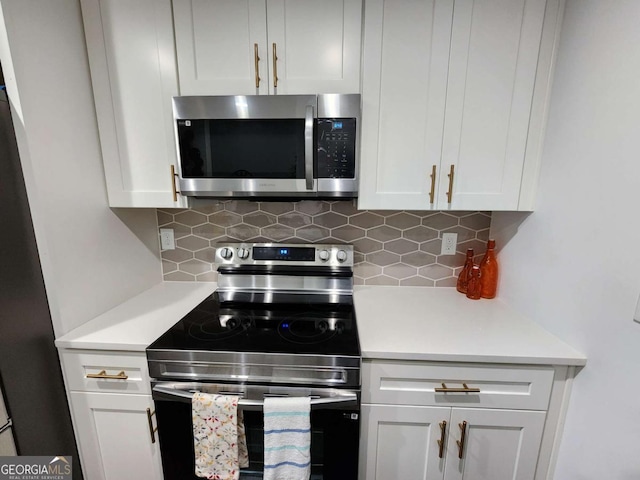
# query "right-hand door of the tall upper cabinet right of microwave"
(495, 46)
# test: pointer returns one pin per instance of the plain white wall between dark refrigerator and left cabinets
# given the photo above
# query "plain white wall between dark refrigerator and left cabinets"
(92, 257)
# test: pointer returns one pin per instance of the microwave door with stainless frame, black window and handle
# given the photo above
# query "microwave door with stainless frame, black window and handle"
(246, 145)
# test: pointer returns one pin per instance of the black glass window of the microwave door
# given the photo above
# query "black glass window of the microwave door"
(242, 148)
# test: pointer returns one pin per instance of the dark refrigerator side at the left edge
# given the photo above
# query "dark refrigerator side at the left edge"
(29, 365)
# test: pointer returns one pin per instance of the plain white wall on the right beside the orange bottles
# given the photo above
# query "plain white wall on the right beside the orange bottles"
(573, 265)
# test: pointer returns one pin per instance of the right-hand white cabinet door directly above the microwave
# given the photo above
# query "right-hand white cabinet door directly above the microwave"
(314, 46)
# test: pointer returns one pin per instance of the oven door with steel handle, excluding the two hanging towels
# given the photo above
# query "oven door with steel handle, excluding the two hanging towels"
(335, 427)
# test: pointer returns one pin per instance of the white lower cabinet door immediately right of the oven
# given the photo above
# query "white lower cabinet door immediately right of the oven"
(401, 442)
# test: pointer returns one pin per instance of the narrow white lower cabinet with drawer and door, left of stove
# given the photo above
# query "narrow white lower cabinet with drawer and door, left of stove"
(113, 414)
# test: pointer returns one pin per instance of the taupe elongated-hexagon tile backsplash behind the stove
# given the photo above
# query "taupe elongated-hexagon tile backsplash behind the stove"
(391, 247)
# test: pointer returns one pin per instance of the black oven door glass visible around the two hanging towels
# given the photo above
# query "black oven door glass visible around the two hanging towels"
(334, 443)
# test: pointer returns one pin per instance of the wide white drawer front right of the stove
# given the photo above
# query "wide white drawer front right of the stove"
(415, 383)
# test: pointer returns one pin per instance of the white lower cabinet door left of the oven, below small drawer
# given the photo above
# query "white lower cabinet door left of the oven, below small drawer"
(114, 436)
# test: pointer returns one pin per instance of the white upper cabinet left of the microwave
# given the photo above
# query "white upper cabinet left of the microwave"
(134, 75)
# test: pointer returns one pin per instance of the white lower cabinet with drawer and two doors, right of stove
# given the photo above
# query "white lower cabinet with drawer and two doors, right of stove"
(439, 421)
